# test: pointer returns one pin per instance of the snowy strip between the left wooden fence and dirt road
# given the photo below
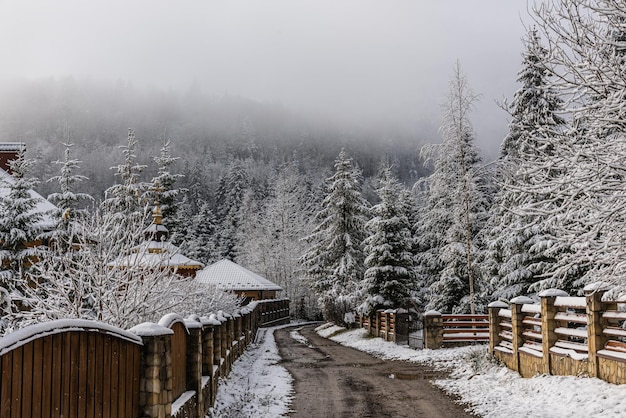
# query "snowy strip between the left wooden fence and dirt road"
(257, 387)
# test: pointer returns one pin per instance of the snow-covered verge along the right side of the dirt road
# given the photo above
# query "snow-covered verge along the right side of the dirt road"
(493, 391)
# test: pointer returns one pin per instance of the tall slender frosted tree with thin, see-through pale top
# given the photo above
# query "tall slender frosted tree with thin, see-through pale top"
(456, 210)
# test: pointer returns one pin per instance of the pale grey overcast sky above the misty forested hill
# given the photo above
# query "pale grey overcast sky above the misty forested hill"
(354, 59)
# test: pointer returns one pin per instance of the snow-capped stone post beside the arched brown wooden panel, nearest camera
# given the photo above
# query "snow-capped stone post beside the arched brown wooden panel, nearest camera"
(155, 383)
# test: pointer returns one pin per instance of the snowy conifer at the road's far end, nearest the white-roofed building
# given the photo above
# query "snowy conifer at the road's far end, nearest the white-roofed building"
(334, 261)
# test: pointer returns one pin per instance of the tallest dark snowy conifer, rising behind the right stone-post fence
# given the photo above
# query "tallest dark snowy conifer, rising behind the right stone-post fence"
(516, 257)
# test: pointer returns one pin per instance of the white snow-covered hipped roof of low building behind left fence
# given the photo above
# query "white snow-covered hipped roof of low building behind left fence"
(226, 275)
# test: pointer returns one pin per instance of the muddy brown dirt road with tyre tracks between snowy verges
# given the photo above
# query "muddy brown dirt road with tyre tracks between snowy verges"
(333, 381)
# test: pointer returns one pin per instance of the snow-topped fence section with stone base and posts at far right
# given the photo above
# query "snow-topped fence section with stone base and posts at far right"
(561, 335)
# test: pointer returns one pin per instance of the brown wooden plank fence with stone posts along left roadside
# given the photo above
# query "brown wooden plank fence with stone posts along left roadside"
(80, 368)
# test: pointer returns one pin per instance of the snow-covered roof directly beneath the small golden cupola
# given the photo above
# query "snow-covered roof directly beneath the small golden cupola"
(167, 255)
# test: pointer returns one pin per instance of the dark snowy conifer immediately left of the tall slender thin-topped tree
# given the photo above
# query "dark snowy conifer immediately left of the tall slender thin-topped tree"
(389, 280)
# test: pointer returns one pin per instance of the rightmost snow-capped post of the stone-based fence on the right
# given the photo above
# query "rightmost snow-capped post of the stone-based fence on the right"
(595, 326)
